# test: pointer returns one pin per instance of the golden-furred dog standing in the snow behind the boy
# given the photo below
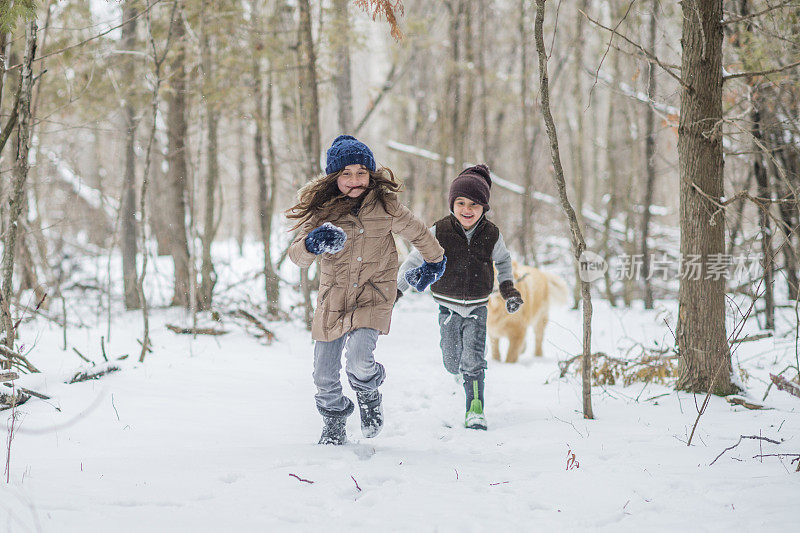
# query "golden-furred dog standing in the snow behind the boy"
(539, 291)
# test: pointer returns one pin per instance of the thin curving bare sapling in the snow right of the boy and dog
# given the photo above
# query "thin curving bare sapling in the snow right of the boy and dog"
(578, 243)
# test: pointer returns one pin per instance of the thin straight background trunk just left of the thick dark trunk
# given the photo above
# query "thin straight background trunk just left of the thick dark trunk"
(649, 158)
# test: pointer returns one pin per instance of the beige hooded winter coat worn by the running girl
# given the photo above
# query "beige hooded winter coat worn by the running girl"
(358, 285)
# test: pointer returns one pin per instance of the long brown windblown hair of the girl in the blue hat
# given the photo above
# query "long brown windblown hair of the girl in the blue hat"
(321, 198)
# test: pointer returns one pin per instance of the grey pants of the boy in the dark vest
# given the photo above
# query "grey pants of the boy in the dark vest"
(463, 341)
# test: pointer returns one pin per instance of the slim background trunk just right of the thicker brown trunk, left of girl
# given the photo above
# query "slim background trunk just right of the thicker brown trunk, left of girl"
(207, 274)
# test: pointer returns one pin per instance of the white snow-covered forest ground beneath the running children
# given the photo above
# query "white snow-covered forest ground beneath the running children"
(209, 433)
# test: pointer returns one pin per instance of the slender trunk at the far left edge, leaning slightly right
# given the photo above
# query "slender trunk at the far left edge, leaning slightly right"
(20, 175)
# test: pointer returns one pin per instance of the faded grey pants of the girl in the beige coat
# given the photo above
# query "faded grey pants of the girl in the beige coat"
(363, 372)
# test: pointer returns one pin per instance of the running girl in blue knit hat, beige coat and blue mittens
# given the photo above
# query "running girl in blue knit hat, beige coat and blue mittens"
(346, 219)
